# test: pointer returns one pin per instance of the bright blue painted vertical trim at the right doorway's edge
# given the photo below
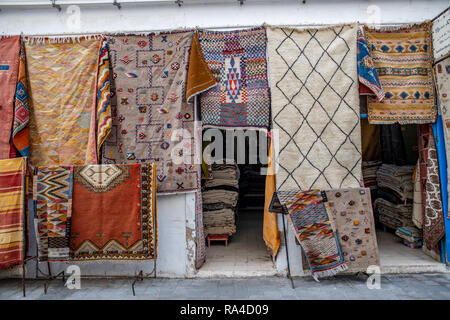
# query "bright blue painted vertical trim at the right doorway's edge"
(438, 130)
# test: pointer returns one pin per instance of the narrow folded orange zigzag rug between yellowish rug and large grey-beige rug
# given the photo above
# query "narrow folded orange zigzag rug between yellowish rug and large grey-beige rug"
(101, 120)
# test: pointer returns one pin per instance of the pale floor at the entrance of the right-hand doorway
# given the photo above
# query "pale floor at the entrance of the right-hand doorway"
(396, 257)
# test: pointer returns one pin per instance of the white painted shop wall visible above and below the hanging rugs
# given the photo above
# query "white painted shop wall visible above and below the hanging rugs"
(176, 213)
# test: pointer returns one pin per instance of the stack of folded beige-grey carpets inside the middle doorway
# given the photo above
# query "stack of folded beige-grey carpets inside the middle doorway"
(220, 197)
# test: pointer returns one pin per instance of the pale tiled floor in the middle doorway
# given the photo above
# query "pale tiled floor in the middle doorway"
(246, 254)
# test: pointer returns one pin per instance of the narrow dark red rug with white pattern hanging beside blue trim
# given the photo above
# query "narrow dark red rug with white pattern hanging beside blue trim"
(433, 217)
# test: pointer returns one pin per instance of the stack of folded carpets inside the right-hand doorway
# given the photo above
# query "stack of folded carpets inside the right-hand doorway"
(395, 195)
